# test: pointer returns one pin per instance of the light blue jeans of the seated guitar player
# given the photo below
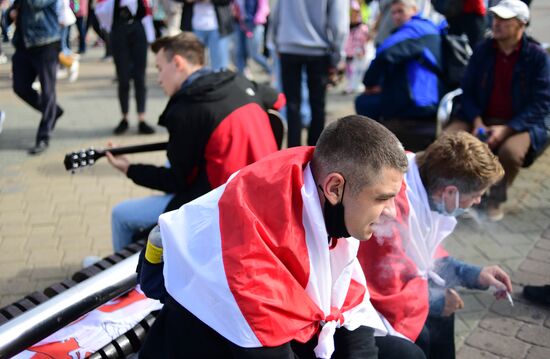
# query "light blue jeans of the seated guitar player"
(132, 215)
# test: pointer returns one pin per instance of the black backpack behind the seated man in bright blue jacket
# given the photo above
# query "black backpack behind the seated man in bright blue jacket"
(455, 54)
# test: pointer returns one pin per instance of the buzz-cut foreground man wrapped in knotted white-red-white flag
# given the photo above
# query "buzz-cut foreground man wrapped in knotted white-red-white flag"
(265, 266)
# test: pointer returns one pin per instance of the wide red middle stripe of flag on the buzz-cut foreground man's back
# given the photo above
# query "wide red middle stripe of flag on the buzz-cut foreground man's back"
(264, 249)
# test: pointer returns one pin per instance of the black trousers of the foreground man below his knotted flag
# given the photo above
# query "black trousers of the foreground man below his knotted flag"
(177, 333)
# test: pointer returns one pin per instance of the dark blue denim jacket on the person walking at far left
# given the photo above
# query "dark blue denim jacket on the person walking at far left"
(37, 23)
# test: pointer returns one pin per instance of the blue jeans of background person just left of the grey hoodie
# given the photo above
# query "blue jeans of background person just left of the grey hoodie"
(248, 45)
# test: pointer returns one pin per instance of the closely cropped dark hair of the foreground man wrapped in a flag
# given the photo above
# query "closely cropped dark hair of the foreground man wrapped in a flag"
(358, 148)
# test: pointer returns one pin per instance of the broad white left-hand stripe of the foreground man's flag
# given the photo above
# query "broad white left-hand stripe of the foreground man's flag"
(193, 258)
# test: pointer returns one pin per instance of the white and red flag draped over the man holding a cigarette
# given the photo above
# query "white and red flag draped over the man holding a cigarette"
(398, 262)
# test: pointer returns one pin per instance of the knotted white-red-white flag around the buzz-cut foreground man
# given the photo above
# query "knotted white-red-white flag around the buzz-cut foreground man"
(251, 259)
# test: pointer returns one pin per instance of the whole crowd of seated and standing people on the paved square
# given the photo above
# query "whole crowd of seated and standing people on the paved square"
(261, 253)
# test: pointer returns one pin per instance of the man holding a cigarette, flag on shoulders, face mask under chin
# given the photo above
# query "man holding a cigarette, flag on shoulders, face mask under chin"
(410, 277)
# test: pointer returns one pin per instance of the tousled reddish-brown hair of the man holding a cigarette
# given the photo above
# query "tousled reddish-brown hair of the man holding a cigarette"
(458, 159)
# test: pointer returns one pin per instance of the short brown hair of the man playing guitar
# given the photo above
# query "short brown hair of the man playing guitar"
(185, 44)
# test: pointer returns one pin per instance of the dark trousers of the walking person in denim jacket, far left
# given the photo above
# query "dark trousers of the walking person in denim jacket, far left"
(27, 64)
